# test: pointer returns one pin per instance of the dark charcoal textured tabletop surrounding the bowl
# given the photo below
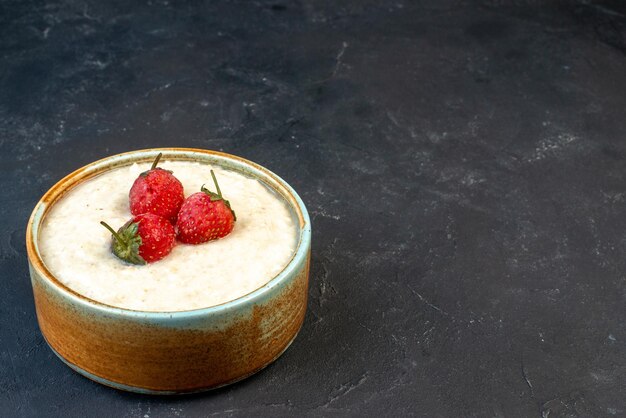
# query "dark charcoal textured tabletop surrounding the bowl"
(464, 164)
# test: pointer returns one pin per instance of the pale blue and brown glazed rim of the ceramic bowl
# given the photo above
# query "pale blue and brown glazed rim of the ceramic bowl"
(103, 165)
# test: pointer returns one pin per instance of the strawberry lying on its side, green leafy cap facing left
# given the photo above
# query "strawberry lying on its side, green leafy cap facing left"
(144, 239)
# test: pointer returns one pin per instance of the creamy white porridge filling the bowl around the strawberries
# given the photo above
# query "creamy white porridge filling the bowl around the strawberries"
(76, 248)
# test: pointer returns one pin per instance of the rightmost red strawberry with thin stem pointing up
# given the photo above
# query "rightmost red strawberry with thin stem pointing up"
(205, 216)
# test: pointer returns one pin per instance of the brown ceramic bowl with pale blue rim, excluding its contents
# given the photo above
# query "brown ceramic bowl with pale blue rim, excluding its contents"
(171, 352)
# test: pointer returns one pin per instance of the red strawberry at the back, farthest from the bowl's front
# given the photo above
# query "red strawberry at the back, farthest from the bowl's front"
(156, 191)
